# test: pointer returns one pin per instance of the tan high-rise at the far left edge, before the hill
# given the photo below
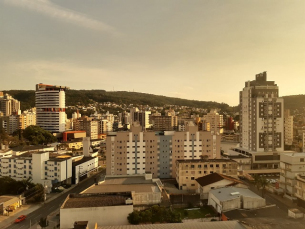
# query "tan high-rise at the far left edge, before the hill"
(9, 105)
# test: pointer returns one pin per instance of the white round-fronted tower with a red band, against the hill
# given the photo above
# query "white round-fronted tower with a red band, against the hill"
(50, 107)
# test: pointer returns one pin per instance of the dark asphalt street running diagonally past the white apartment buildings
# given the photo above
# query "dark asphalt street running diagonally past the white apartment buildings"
(54, 204)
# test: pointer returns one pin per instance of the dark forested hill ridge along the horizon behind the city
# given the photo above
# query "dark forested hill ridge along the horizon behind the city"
(84, 97)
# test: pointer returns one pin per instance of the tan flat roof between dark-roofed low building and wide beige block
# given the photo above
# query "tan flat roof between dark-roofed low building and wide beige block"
(136, 184)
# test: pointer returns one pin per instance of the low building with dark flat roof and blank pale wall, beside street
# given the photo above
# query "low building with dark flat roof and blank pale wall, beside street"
(101, 209)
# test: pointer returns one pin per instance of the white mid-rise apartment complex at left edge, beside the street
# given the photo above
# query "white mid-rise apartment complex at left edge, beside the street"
(39, 166)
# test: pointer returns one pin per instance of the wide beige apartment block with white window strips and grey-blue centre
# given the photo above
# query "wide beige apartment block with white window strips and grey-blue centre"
(136, 152)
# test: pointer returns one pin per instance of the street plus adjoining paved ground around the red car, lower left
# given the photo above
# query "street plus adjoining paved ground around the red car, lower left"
(47, 209)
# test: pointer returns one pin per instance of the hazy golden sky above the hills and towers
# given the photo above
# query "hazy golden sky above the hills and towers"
(199, 49)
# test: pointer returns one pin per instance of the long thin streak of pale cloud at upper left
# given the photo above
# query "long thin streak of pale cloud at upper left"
(50, 9)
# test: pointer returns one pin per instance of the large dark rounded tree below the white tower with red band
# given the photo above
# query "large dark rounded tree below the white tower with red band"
(36, 135)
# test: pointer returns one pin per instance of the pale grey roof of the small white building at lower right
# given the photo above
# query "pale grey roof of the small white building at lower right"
(226, 193)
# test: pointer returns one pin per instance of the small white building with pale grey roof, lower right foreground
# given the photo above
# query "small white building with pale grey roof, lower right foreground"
(230, 198)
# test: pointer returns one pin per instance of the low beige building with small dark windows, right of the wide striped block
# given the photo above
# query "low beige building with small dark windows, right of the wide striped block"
(187, 171)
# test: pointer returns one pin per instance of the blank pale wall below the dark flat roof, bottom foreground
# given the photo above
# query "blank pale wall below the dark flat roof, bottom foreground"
(103, 216)
